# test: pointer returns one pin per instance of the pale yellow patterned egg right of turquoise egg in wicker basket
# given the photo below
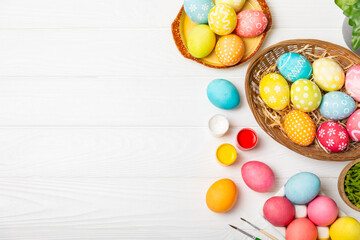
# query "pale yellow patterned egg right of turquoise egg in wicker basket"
(328, 74)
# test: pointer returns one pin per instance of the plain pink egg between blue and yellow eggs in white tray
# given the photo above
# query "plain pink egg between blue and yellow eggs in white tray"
(322, 211)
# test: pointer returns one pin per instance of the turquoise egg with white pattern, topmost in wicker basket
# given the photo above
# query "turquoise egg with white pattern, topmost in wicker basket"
(294, 66)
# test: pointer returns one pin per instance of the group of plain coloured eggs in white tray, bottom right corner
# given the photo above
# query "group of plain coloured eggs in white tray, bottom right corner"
(306, 215)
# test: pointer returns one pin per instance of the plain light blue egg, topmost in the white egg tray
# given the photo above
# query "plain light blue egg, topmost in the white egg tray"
(302, 188)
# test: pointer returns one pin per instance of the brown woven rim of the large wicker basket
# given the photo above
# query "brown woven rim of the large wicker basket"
(288, 143)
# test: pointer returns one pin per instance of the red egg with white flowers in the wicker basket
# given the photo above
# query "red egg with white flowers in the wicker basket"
(333, 136)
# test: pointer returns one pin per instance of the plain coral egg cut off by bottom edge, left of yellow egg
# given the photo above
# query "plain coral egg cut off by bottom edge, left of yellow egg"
(301, 229)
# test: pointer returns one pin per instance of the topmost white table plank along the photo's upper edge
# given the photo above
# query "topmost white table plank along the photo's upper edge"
(148, 14)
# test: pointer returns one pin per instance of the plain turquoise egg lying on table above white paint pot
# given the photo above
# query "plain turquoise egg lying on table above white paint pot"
(223, 94)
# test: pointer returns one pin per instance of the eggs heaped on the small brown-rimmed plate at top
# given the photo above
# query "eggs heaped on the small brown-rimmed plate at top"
(222, 18)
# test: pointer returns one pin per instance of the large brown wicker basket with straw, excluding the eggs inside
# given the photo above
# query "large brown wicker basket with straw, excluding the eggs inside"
(267, 58)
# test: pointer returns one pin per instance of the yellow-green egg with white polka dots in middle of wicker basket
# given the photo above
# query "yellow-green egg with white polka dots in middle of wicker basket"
(305, 95)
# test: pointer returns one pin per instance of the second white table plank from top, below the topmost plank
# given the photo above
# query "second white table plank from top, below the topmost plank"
(116, 52)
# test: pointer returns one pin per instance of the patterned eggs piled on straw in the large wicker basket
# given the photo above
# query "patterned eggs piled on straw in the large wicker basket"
(307, 96)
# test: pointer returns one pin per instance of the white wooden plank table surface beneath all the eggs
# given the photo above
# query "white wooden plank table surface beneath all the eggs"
(103, 124)
